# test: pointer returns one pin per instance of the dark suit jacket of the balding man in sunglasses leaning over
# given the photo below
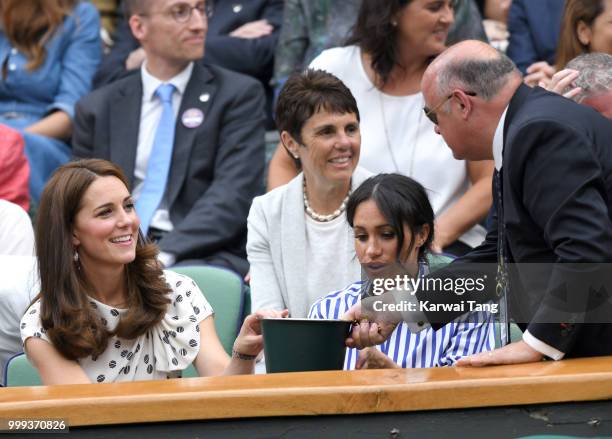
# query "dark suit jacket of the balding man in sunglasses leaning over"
(557, 211)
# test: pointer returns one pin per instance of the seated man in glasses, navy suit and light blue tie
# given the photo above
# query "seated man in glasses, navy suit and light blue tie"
(189, 136)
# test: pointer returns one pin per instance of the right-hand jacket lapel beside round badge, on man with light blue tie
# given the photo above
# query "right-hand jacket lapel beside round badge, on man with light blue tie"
(199, 94)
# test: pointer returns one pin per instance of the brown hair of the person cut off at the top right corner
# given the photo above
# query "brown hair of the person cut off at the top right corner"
(569, 44)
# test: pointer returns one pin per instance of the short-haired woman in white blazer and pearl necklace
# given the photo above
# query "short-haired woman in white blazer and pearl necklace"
(299, 242)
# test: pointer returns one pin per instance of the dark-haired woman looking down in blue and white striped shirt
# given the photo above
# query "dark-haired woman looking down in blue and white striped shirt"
(393, 225)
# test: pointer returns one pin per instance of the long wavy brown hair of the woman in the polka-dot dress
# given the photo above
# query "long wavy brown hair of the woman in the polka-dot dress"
(73, 327)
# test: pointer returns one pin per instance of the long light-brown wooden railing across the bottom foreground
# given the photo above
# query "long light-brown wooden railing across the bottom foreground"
(313, 393)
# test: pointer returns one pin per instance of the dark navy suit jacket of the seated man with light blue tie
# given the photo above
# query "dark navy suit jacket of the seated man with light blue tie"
(217, 168)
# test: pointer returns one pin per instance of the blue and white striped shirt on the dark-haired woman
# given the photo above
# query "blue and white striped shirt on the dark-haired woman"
(427, 348)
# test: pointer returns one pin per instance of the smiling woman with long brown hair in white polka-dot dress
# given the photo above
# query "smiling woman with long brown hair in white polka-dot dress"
(106, 311)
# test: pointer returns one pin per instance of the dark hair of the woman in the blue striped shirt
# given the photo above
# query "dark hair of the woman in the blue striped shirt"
(402, 201)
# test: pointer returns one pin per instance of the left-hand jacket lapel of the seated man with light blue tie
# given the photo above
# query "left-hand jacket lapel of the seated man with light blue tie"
(124, 126)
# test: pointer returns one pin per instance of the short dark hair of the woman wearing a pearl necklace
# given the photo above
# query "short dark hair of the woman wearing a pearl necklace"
(306, 93)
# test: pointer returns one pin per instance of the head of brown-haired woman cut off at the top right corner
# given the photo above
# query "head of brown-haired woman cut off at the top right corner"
(586, 28)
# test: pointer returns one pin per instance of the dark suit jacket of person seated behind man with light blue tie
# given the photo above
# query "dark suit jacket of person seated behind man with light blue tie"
(253, 57)
